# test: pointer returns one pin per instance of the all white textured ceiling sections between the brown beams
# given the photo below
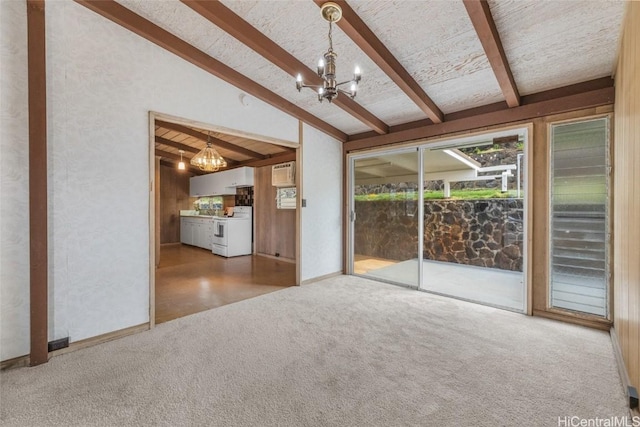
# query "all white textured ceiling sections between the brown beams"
(548, 44)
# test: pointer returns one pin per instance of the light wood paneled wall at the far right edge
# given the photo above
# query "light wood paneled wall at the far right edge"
(626, 271)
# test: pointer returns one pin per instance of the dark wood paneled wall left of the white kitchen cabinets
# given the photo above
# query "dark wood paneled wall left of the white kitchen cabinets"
(174, 196)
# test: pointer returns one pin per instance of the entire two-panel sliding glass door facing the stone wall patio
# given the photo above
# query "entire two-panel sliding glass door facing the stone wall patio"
(448, 217)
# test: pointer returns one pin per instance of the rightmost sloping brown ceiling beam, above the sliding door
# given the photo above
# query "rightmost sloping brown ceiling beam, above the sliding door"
(485, 26)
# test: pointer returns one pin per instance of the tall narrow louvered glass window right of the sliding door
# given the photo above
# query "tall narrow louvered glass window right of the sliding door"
(579, 207)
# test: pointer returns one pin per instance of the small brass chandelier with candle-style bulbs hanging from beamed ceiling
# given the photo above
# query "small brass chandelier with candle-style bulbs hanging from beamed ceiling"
(327, 65)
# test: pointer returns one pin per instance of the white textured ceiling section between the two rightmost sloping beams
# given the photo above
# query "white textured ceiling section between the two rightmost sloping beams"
(437, 44)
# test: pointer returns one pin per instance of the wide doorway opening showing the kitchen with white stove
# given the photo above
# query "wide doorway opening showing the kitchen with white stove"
(188, 274)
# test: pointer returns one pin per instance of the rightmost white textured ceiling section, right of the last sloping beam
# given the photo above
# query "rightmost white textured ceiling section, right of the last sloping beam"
(552, 44)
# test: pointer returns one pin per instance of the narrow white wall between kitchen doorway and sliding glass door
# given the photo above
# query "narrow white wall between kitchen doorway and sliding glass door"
(322, 218)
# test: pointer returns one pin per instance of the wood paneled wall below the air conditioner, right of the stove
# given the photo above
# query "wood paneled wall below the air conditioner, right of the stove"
(275, 228)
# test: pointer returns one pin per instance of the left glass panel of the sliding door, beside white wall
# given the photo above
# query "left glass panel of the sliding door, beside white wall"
(385, 217)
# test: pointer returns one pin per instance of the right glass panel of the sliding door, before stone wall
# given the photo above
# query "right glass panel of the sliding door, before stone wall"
(474, 221)
